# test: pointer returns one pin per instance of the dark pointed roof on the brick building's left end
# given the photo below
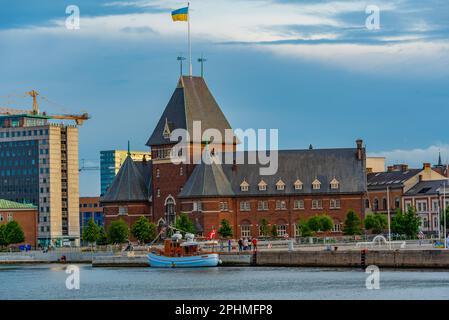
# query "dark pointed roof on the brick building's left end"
(132, 183)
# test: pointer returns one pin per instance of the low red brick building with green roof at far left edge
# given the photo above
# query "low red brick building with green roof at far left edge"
(25, 215)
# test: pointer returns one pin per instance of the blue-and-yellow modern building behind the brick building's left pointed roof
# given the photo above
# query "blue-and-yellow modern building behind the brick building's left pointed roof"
(111, 161)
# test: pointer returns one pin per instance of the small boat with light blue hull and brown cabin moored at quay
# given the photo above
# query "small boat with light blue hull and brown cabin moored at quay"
(187, 254)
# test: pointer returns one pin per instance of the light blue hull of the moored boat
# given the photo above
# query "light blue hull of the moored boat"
(204, 260)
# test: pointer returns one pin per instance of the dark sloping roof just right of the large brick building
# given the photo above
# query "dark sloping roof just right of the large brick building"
(392, 179)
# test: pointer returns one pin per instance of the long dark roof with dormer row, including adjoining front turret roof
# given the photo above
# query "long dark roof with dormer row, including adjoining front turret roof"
(305, 165)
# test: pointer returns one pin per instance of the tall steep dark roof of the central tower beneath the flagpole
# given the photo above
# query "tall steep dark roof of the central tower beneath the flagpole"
(191, 101)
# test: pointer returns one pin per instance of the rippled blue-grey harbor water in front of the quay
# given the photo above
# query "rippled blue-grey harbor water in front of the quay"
(48, 281)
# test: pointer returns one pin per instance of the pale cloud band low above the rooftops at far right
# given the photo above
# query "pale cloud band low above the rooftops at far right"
(415, 157)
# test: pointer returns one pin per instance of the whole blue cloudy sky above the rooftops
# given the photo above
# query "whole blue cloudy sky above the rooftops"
(308, 68)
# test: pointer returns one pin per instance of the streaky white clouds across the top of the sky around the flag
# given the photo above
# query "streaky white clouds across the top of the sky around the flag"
(262, 21)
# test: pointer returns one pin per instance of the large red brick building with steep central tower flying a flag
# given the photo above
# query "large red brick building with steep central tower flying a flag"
(307, 182)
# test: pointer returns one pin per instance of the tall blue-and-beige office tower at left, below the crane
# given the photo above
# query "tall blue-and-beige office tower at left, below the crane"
(39, 166)
